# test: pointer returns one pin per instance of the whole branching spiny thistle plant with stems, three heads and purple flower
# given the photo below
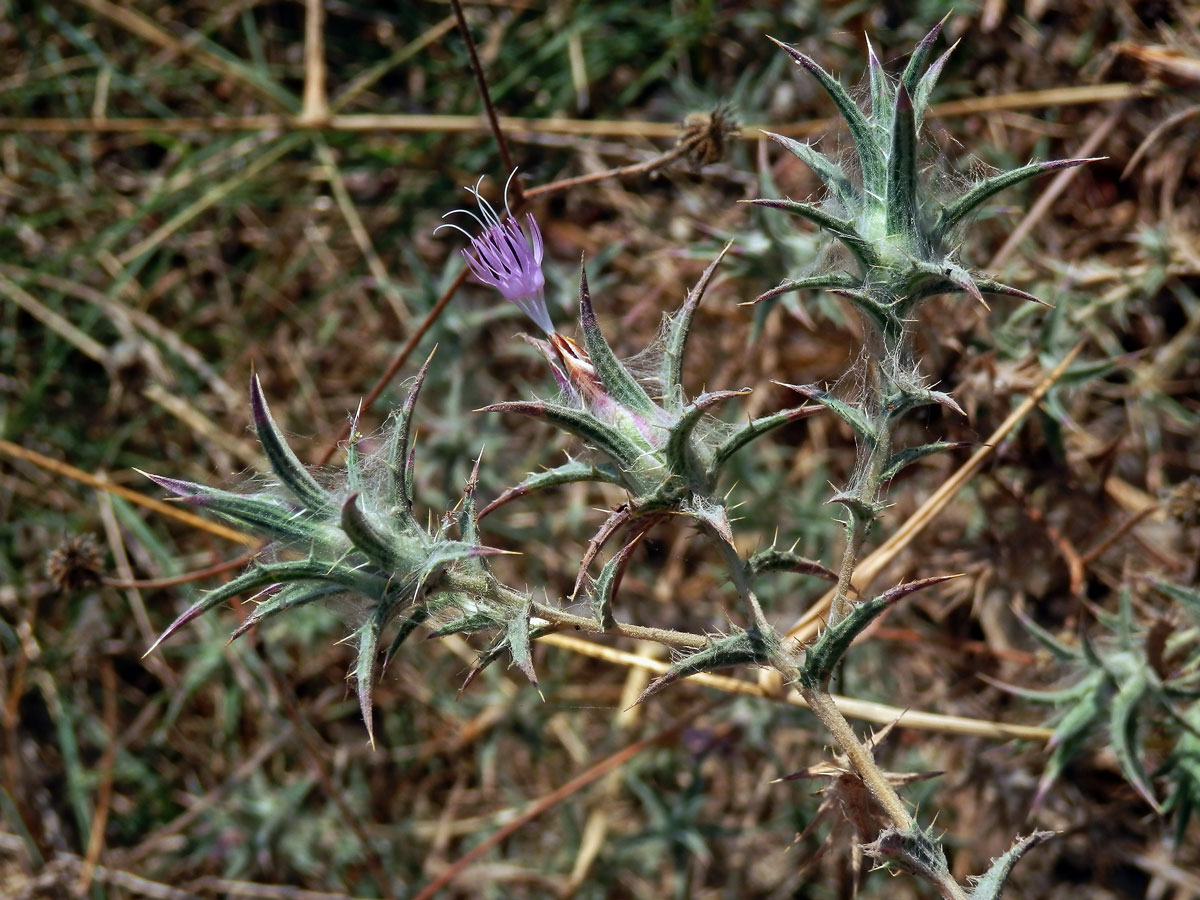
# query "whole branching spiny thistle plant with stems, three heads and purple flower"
(357, 535)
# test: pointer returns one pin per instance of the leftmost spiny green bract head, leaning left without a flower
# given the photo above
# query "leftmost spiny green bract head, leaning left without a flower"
(361, 541)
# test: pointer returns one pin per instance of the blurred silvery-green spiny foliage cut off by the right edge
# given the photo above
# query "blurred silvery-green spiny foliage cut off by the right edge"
(1130, 680)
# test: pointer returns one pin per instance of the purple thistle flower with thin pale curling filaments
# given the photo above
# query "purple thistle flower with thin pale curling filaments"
(507, 257)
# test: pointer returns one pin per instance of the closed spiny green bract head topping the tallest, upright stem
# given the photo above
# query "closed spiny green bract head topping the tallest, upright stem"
(904, 242)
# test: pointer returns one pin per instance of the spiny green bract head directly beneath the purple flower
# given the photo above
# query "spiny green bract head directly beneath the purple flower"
(665, 452)
